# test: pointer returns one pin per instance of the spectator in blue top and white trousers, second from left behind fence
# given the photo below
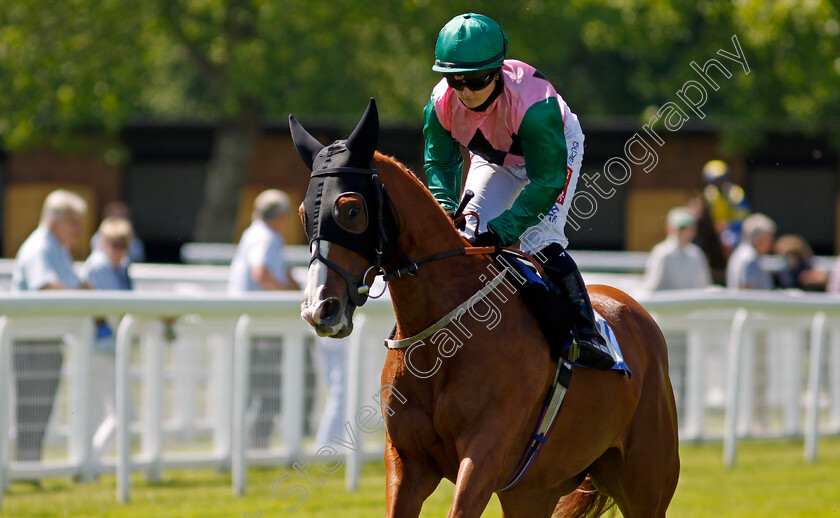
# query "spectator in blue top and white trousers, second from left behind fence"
(106, 269)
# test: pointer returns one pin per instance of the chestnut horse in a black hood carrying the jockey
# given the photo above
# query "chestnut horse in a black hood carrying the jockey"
(466, 412)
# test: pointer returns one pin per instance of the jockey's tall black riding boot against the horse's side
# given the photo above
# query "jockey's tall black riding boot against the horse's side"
(564, 273)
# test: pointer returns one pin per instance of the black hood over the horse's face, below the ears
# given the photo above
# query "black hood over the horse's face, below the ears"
(376, 243)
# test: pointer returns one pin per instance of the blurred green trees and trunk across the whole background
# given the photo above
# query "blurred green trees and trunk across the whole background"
(97, 63)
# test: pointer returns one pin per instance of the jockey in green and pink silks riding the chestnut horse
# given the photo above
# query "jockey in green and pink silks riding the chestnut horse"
(525, 148)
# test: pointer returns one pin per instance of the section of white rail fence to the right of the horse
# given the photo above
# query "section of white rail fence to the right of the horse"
(759, 363)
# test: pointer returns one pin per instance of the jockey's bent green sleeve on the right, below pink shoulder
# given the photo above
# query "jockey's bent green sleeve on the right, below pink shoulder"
(544, 146)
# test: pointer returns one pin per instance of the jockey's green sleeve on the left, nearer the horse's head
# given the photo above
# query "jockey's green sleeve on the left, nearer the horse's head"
(442, 160)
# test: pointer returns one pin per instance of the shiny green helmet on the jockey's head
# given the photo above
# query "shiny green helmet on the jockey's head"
(470, 42)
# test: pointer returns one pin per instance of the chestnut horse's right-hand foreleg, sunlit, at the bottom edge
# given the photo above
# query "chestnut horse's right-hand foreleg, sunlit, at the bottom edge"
(477, 474)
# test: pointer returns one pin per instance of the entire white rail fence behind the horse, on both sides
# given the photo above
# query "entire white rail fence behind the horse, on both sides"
(745, 365)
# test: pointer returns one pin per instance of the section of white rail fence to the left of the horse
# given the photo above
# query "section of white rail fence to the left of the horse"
(152, 371)
